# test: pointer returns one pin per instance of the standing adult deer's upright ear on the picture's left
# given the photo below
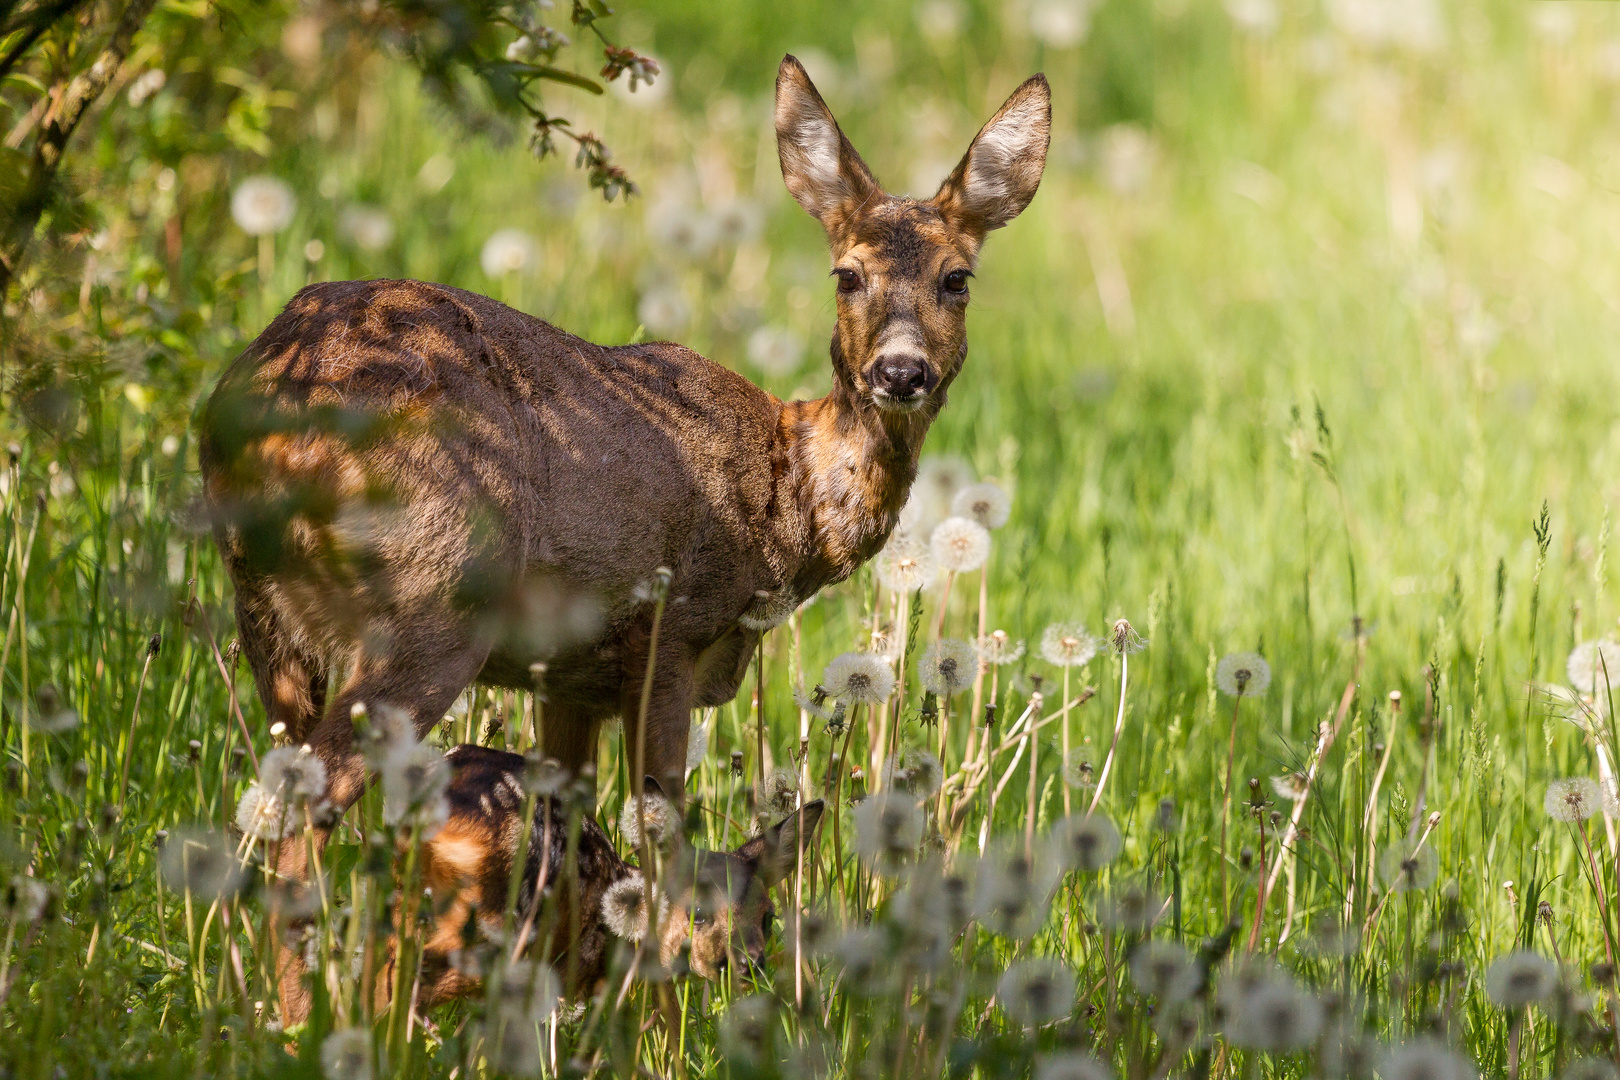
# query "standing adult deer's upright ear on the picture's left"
(819, 164)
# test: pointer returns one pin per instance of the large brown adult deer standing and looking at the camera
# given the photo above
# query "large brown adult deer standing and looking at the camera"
(416, 488)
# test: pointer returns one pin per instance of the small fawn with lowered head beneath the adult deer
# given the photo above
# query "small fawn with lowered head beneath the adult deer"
(720, 904)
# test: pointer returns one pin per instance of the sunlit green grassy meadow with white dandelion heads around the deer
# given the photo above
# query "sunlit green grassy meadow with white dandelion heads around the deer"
(1298, 381)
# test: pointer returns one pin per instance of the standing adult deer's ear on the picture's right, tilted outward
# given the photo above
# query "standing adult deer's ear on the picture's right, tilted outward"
(1002, 169)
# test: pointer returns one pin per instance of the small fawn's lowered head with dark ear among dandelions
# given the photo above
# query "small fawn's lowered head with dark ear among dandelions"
(720, 903)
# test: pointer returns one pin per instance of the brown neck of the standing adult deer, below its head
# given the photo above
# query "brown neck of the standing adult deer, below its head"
(850, 467)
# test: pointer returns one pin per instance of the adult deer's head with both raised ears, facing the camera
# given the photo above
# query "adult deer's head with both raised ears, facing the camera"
(903, 265)
